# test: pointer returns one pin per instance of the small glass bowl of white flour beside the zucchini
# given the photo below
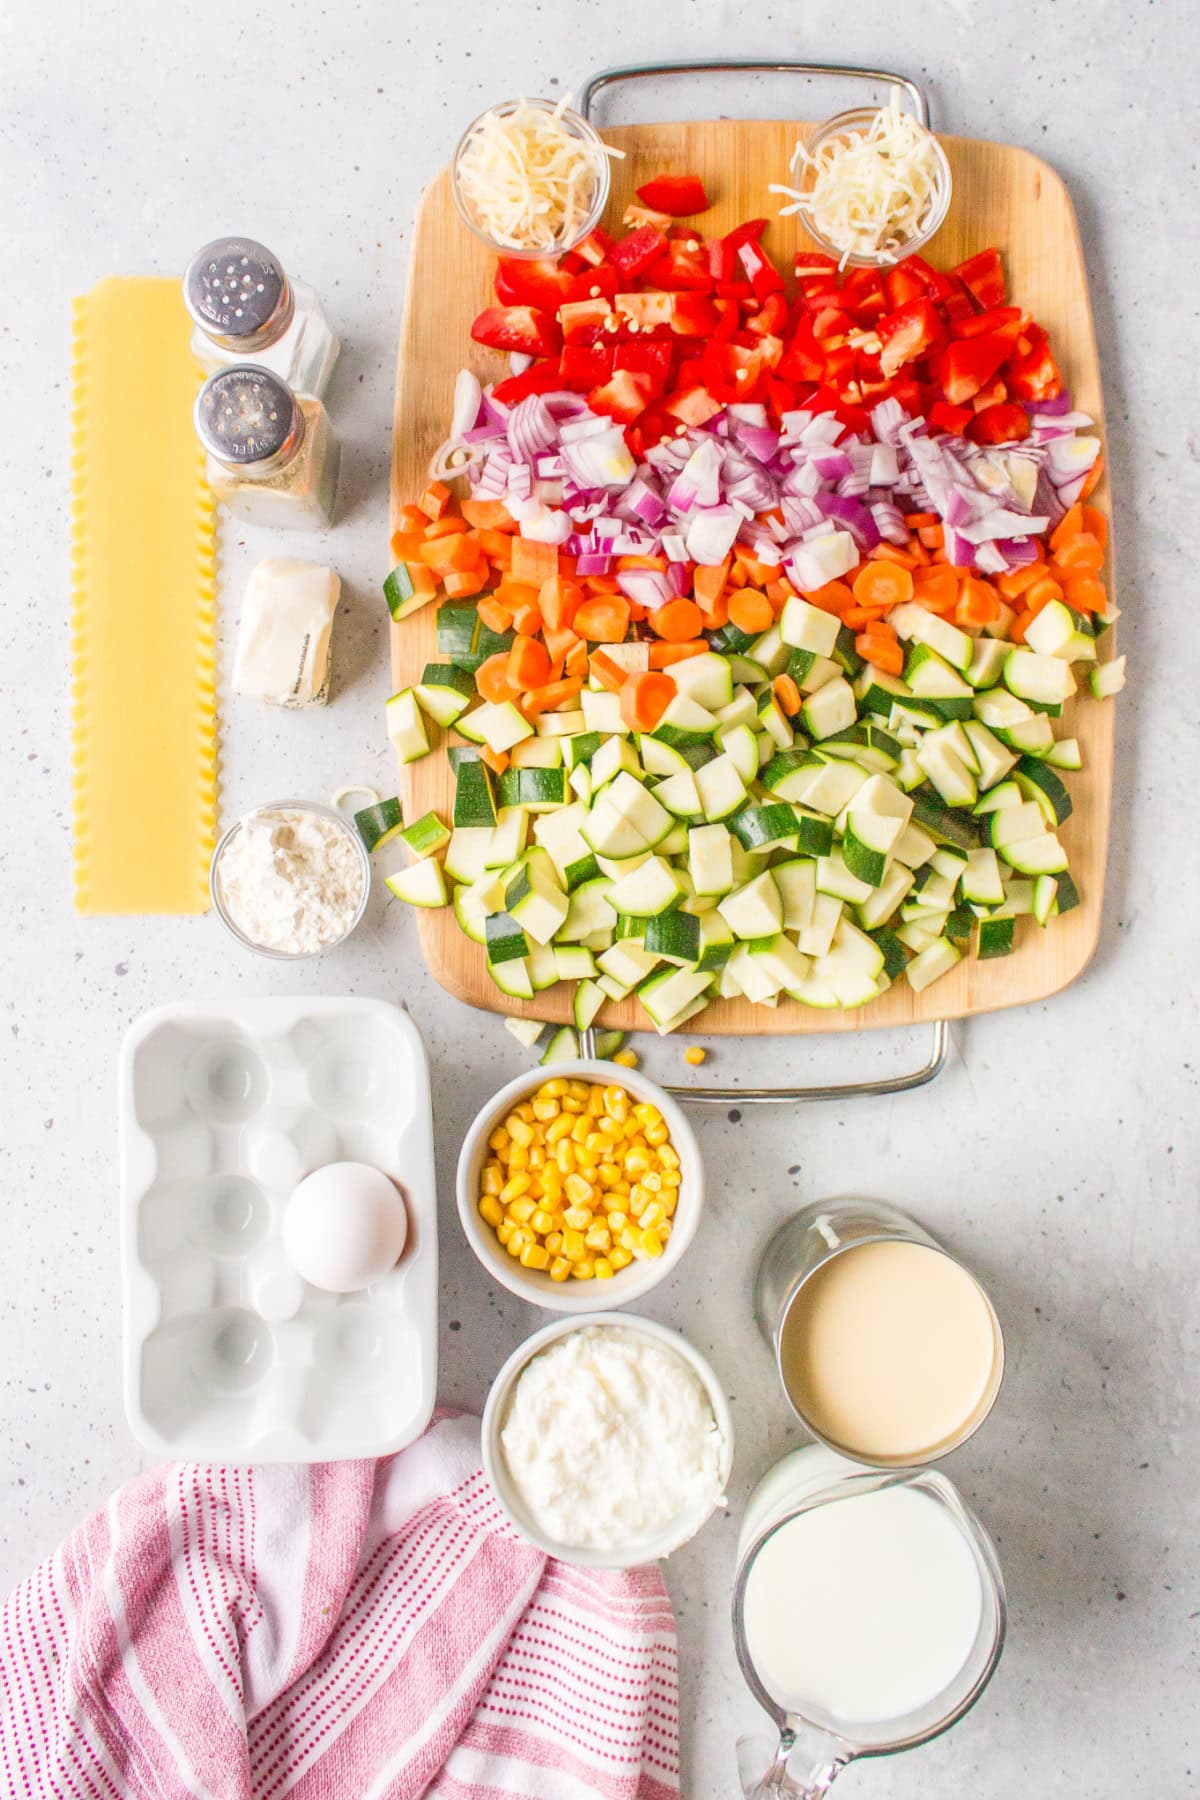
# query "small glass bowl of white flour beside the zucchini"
(291, 879)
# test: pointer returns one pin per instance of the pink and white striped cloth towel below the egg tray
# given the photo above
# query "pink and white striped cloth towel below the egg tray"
(341, 1632)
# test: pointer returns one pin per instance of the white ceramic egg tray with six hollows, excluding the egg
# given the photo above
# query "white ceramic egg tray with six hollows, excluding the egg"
(229, 1356)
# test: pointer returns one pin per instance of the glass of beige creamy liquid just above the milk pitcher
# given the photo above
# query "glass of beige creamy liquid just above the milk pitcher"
(888, 1349)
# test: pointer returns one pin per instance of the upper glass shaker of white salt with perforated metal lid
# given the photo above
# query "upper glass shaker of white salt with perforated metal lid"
(246, 309)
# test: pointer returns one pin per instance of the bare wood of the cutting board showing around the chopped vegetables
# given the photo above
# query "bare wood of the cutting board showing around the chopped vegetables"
(1001, 195)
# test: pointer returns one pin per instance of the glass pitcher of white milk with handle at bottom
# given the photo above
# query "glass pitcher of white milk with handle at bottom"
(868, 1617)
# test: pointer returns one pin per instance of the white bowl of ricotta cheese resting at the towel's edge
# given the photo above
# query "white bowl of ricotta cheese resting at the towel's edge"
(607, 1441)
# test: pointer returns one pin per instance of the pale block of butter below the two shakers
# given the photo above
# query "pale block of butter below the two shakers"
(287, 627)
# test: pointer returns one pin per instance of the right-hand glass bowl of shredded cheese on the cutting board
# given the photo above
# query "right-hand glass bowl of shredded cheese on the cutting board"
(873, 186)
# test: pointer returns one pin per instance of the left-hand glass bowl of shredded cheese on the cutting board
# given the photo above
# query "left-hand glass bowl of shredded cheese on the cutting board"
(532, 177)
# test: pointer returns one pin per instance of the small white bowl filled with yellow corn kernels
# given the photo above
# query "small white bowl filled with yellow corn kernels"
(578, 1182)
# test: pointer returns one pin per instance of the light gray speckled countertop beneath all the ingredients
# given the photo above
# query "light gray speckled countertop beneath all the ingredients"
(1059, 1153)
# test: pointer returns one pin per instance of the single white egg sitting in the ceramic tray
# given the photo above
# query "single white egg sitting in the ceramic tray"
(345, 1227)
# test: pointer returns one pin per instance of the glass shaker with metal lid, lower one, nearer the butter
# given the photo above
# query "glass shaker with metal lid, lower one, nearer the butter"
(273, 454)
